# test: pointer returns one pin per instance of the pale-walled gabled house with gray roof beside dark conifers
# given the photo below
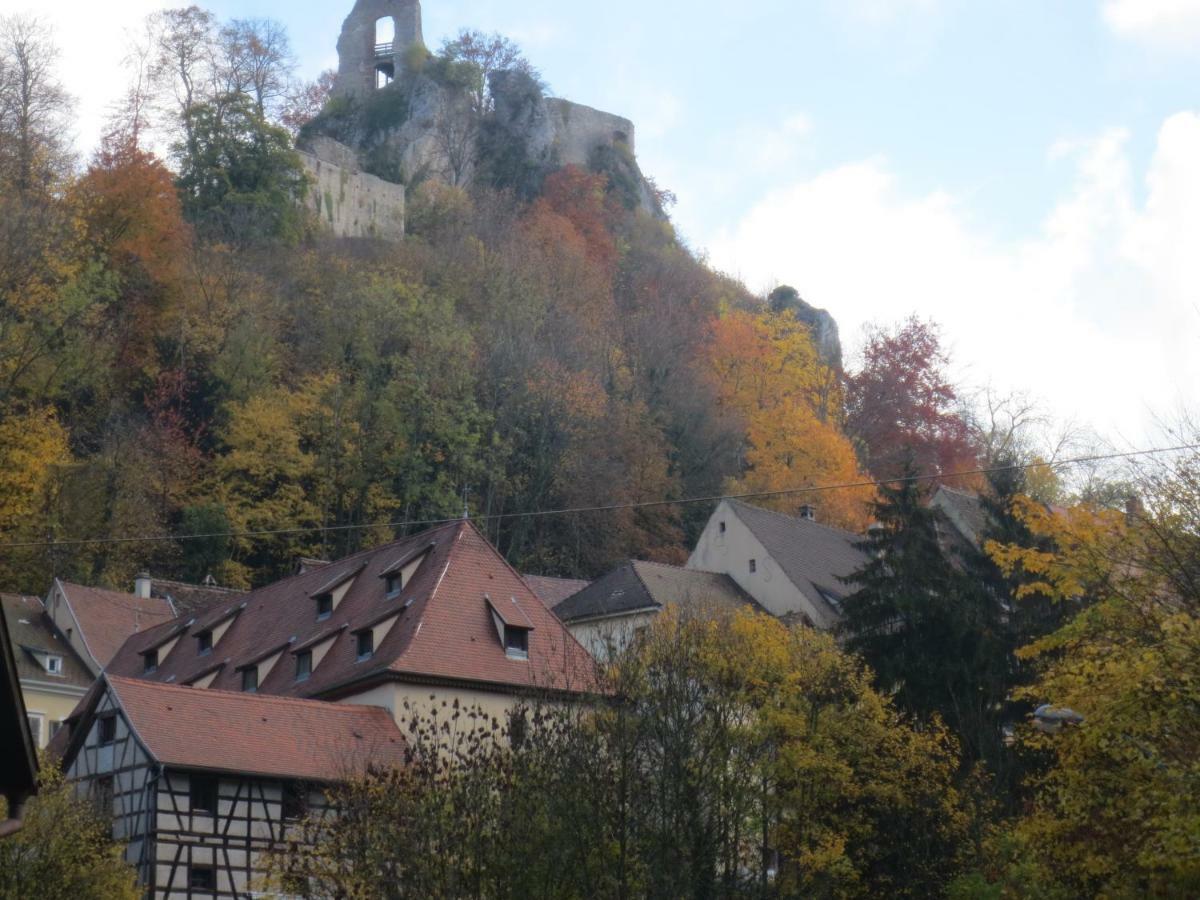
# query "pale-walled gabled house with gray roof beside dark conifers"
(793, 566)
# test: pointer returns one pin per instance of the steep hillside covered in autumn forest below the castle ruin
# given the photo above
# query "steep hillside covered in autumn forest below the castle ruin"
(184, 352)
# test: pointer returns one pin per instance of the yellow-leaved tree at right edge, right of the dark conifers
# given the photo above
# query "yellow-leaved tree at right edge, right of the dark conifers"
(1115, 812)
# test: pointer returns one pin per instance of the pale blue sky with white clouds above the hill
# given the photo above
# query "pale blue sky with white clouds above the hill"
(1025, 175)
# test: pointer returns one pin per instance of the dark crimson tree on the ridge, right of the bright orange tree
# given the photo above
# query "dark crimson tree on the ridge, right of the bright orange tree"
(902, 404)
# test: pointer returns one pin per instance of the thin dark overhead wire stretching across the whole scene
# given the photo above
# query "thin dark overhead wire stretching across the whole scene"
(610, 508)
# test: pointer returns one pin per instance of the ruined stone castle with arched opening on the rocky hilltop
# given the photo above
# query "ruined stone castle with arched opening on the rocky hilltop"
(362, 169)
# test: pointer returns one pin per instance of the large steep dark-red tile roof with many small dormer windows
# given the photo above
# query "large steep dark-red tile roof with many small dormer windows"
(443, 631)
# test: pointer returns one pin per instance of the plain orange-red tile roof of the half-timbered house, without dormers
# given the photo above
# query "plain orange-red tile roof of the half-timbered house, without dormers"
(259, 735)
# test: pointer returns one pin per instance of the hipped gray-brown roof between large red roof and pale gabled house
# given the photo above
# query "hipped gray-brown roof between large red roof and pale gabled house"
(638, 585)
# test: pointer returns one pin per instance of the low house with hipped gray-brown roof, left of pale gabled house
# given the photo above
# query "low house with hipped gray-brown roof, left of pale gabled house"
(608, 615)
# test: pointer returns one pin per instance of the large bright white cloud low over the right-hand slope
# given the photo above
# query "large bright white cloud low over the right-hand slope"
(1100, 311)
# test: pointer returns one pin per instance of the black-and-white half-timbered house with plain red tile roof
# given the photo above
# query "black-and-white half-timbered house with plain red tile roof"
(202, 783)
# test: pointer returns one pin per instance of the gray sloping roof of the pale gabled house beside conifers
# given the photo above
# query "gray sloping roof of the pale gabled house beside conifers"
(814, 557)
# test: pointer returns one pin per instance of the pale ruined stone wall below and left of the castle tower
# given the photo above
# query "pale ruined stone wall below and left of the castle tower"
(350, 202)
